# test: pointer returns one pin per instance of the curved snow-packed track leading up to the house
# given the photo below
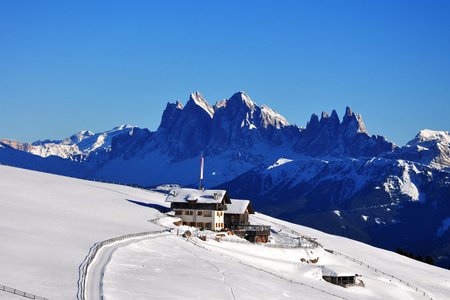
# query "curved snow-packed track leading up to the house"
(84, 266)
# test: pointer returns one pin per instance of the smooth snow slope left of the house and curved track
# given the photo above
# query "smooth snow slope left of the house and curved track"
(48, 224)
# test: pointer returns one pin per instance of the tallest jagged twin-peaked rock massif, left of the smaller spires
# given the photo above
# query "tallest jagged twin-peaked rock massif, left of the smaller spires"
(234, 124)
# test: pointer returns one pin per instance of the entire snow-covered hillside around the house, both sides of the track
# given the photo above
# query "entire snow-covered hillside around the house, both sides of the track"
(48, 223)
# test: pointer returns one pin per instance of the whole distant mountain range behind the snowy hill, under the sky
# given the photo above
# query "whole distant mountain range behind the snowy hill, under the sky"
(331, 175)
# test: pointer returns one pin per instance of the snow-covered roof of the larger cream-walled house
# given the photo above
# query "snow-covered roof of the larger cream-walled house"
(198, 196)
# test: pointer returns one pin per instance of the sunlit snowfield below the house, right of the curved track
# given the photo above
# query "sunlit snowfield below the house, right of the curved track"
(226, 270)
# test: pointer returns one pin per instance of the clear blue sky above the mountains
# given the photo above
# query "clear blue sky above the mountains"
(72, 65)
